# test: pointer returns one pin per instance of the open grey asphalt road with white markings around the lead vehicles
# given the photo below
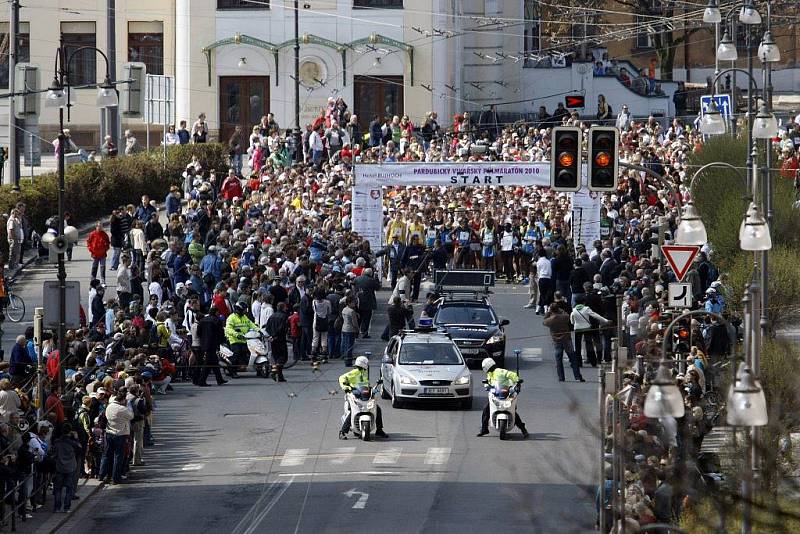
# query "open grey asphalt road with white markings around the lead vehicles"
(256, 456)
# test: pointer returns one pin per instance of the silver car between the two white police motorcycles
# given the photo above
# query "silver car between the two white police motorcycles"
(419, 366)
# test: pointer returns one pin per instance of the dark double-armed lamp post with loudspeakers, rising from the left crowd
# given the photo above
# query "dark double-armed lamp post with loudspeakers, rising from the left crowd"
(59, 96)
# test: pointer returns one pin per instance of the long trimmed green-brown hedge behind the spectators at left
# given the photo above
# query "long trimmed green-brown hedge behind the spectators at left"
(93, 190)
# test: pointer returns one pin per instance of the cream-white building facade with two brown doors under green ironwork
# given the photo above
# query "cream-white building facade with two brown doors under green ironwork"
(235, 59)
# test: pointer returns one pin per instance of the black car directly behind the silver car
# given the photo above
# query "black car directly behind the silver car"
(474, 327)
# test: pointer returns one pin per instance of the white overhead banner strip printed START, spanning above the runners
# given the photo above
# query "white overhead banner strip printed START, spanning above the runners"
(468, 174)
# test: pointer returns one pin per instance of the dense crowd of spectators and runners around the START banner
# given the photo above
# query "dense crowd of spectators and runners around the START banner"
(269, 247)
